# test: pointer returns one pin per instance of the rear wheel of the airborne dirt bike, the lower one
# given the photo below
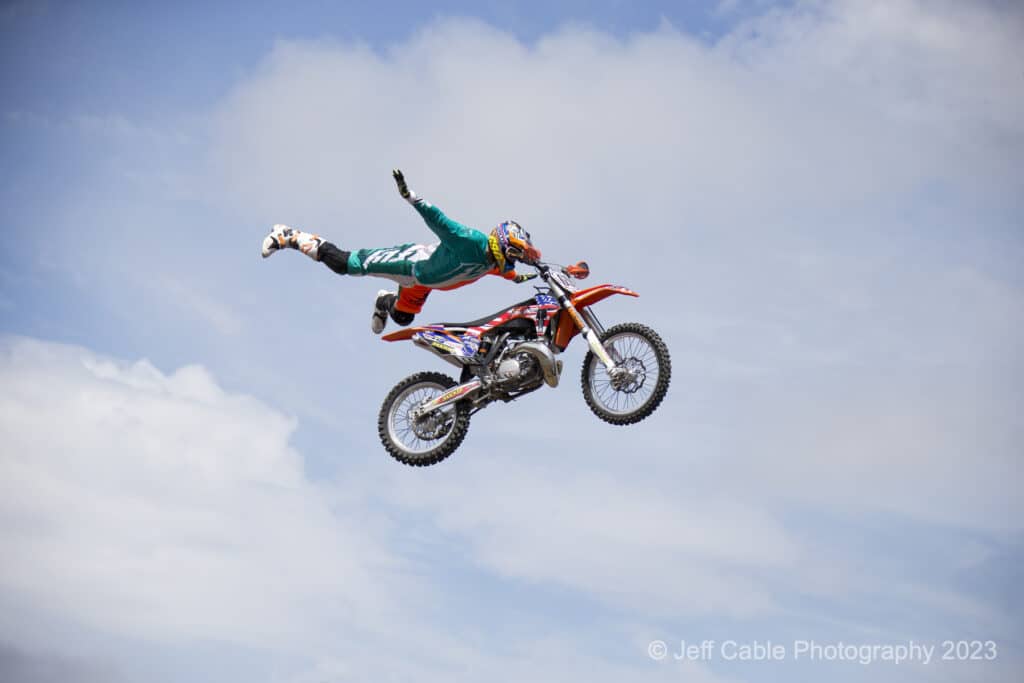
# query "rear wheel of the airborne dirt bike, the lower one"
(428, 440)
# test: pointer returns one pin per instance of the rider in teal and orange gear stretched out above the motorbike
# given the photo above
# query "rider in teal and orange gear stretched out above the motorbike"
(463, 257)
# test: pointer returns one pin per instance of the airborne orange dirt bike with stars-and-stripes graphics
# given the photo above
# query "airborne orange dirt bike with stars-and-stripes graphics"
(511, 354)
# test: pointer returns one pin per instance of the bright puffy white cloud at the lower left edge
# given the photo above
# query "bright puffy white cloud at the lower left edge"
(159, 505)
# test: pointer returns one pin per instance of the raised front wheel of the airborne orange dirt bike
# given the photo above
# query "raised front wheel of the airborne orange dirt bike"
(641, 380)
